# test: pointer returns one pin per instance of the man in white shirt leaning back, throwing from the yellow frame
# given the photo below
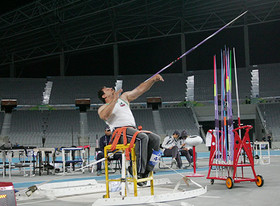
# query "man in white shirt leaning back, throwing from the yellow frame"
(116, 113)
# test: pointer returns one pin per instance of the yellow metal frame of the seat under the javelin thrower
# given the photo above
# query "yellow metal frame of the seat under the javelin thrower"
(134, 179)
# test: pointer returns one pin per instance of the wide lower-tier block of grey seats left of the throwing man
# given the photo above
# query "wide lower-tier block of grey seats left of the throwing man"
(27, 127)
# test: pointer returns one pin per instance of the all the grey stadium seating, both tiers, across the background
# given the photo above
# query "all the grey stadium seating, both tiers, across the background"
(62, 125)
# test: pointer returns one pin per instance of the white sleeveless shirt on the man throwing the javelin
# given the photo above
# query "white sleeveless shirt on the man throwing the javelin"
(121, 116)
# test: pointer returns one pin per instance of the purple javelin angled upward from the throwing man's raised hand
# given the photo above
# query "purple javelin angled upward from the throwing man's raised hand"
(193, 48)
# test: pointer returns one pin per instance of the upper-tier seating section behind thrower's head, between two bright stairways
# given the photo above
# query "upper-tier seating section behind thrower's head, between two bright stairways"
(67, 89)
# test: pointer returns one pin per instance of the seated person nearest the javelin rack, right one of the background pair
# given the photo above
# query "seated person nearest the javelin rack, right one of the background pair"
(185, 149)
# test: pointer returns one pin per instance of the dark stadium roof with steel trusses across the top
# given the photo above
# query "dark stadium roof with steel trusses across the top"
(46, 27)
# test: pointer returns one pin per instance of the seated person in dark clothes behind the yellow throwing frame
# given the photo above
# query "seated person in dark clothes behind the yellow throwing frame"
(104, 141)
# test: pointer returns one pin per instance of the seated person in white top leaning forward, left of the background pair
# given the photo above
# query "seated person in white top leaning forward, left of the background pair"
(171, 149)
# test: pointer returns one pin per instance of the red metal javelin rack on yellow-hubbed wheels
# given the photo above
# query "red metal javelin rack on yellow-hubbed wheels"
(241, 146)
